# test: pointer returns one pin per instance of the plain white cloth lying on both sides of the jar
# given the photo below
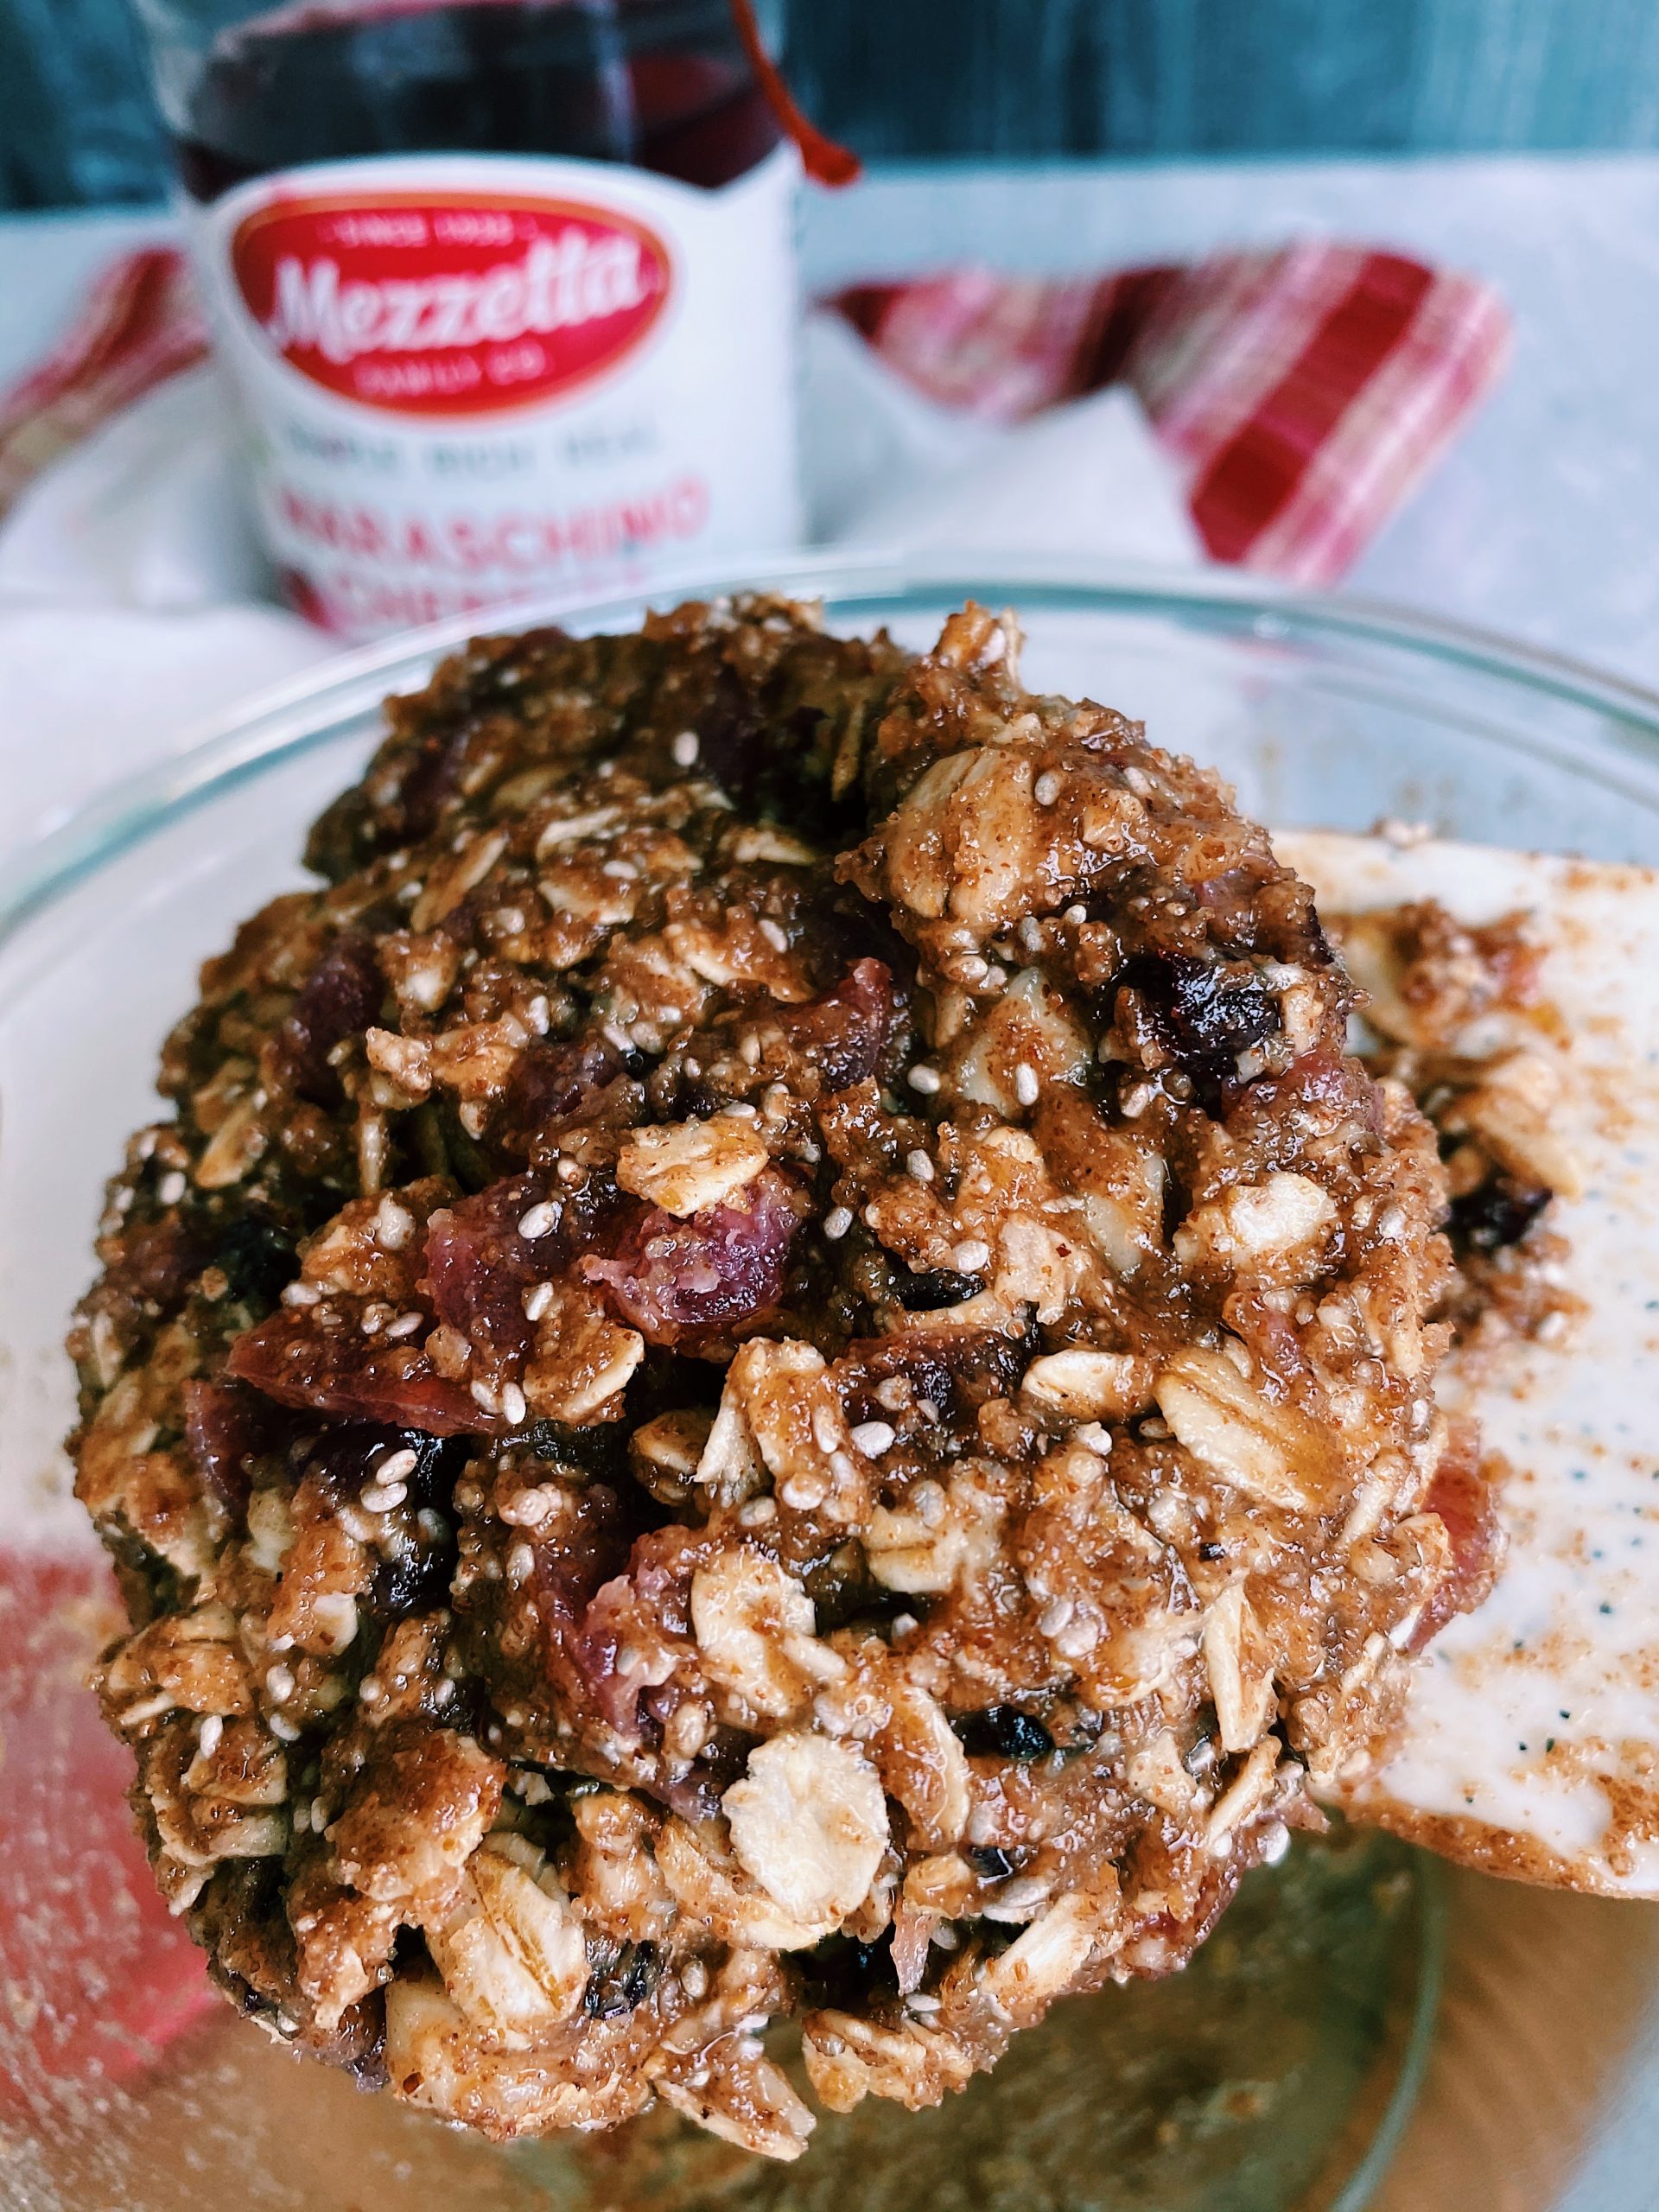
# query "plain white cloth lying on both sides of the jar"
(136, 605)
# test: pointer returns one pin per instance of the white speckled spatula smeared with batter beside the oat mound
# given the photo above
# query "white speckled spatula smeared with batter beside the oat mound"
(1532, 1738)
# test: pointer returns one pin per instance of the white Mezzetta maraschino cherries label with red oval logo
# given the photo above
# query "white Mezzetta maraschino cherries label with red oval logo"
(481, 379)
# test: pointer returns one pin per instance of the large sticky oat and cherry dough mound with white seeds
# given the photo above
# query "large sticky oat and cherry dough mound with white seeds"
(773, 1364)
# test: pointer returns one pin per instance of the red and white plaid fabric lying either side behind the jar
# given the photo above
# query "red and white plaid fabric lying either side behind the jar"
(1297, 393)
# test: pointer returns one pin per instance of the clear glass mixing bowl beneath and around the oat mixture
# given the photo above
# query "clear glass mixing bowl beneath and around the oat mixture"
(1282, 2069)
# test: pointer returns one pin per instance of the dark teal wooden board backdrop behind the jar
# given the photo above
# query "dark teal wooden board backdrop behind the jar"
(1019, 79)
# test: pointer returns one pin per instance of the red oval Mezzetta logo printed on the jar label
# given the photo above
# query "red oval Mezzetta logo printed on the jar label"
(450, 304)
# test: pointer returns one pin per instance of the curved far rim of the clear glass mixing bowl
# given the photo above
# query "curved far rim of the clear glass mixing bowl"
(289, 718)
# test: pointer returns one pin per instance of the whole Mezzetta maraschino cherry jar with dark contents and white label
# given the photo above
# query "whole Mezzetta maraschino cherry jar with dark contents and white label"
(505, 291)
